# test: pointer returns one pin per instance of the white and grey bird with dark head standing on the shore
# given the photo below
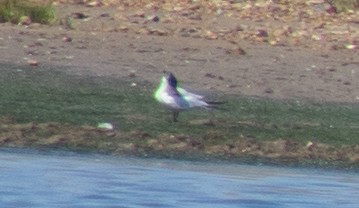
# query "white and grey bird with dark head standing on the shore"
(177, 99)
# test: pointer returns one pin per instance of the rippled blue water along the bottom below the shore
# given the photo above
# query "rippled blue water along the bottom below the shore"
(29, 179)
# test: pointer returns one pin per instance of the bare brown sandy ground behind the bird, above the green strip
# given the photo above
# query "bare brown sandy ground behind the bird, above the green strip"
(110, 41)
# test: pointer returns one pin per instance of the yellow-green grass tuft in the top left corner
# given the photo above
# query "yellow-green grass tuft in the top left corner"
(14, 10)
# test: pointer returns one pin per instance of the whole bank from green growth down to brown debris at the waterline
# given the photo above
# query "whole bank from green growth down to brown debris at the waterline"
(50, 104)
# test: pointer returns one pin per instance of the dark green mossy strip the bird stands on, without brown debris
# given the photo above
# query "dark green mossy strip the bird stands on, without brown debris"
(42, 95)
